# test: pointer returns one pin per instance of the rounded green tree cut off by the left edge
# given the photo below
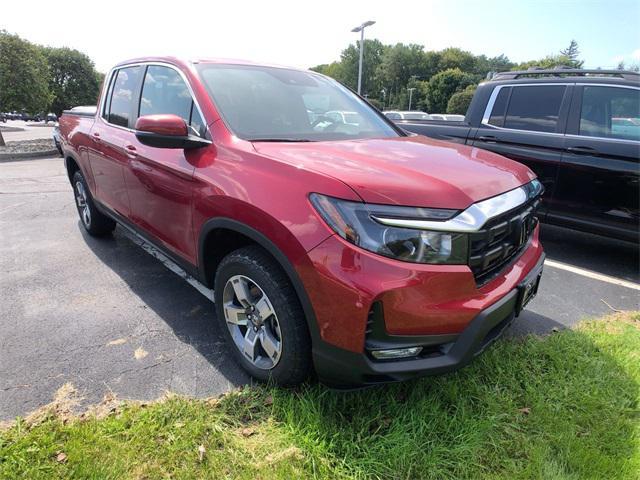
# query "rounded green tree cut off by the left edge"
(24, 75)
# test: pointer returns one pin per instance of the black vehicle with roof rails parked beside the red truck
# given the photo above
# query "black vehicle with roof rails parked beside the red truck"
(578, 130)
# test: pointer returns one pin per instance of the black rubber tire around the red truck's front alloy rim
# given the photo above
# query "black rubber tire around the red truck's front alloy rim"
(294, 364)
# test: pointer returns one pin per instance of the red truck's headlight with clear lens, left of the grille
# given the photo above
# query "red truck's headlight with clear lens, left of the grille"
(353, 221)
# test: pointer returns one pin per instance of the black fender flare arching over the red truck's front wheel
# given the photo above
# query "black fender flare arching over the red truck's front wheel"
(264, 242)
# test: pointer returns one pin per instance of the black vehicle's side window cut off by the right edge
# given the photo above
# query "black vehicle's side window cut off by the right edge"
(610, 112)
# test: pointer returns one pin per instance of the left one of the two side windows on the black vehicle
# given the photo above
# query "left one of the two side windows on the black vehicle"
(534, 108)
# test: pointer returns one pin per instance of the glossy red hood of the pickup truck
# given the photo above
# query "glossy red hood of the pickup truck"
(413, 171)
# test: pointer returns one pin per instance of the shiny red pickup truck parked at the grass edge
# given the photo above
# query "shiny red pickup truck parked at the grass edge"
(334, 240)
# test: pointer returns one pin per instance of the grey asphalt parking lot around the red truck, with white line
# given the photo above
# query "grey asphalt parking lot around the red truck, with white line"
(107, 317)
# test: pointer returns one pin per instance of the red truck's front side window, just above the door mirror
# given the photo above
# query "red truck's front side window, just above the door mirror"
(164, 91)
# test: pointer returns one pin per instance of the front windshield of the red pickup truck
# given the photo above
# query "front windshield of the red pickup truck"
(271, 104)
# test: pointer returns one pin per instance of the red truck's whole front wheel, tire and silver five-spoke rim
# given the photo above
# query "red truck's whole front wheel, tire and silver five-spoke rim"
(259, 311)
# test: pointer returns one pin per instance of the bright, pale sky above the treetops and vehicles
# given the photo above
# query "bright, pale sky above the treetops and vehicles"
(306, 33)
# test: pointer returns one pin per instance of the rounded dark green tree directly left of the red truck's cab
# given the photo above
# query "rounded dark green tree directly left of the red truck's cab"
(73, 79)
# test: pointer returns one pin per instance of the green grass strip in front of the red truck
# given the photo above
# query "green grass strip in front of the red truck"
(564, 406)
